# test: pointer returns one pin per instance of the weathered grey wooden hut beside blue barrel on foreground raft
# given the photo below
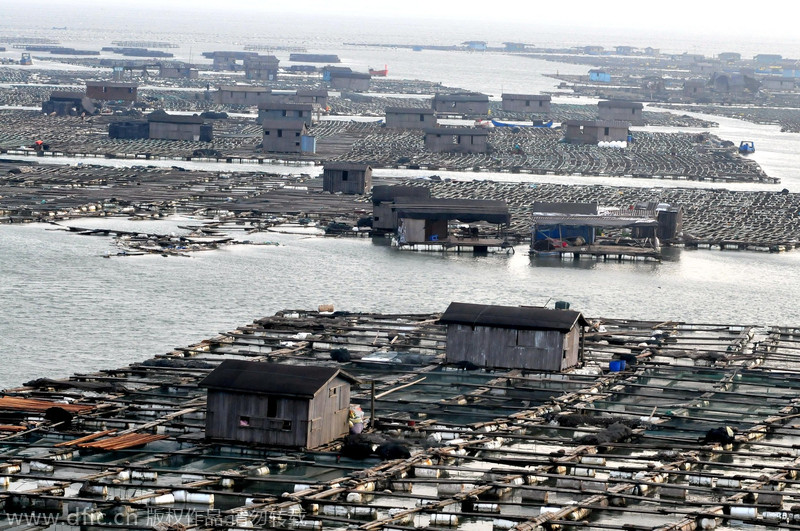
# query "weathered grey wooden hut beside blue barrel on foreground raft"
(509, 337)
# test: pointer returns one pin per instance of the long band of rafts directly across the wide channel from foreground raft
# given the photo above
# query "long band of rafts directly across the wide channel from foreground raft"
(713, 219)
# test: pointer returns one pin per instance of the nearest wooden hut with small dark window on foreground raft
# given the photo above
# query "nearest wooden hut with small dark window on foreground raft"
(276, 404)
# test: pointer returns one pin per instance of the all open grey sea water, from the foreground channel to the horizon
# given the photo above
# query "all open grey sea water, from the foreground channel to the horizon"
(65, 309)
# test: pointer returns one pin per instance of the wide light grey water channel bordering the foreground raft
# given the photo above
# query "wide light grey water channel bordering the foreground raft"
(66, 309)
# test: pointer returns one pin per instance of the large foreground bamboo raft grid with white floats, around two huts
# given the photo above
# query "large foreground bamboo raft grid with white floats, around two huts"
(489, 450)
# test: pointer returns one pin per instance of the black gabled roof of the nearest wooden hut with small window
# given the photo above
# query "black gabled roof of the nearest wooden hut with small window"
(271, 378)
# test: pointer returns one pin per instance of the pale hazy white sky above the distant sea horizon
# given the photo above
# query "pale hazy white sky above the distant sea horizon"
(767, 18)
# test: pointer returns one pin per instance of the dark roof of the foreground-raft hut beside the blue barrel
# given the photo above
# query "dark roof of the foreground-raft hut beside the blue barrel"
(511, 317)
